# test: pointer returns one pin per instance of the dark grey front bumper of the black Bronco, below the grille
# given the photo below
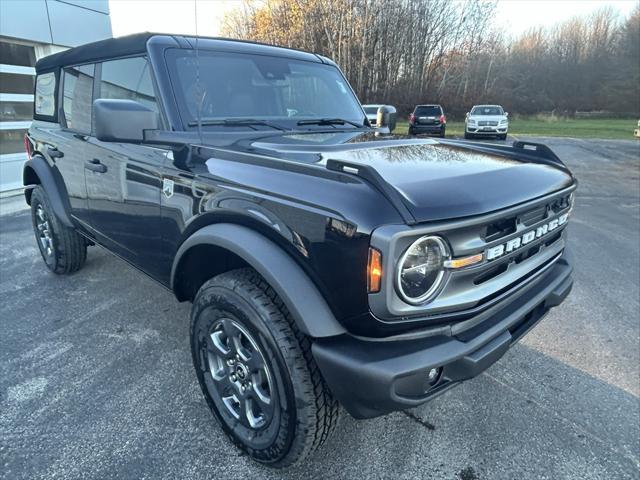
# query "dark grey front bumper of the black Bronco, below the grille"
(371, 377)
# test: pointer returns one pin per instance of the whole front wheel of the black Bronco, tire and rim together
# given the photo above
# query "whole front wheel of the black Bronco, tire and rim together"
(256, 370)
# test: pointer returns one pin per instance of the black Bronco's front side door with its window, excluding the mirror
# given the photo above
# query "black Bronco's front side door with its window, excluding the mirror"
(124, 180)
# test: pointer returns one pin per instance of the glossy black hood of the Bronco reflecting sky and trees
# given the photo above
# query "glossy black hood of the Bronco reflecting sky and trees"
(435, 180)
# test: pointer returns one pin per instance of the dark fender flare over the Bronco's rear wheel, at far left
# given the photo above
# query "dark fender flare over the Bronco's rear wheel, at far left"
(54, 186)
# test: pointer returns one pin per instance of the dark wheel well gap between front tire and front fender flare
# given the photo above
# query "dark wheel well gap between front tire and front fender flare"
(199, 264)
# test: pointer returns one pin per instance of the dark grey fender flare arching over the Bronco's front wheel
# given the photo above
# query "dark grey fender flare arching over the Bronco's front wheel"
(294, 287)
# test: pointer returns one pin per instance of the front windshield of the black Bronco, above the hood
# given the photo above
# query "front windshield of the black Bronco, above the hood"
(280, 90)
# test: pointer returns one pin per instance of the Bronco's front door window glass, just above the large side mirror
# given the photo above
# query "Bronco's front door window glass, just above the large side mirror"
(128, 79)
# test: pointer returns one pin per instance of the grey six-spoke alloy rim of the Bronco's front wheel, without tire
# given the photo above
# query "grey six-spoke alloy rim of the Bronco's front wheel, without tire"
(241, 378)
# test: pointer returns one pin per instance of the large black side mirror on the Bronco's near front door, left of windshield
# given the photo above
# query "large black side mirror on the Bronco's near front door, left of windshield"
(123, 121)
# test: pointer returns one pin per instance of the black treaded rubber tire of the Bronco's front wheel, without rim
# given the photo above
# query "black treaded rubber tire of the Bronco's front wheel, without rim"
(310, 413)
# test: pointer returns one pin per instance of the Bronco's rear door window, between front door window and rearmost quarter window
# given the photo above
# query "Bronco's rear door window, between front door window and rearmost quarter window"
(77, 98)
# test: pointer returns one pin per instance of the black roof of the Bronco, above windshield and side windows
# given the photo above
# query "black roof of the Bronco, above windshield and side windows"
(137, 44)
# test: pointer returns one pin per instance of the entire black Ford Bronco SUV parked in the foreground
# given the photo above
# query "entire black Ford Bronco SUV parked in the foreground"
(328, 264)
